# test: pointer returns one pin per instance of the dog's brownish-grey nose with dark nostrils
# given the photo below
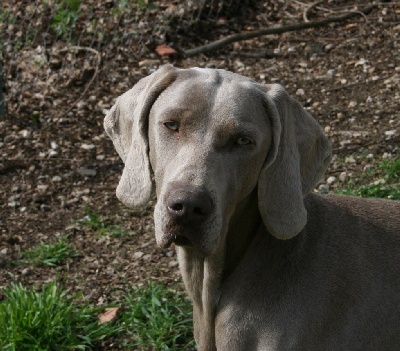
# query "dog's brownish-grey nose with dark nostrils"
(189, 206)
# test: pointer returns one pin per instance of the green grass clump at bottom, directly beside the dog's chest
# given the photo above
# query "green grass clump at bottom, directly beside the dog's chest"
(158, 318)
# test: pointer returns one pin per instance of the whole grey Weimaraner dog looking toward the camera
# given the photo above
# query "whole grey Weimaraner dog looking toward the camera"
(267, 264)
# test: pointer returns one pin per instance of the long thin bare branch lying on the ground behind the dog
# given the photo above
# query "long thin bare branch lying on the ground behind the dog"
(277, 30)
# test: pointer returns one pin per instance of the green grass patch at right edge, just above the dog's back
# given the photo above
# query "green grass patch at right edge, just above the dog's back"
(386, 182)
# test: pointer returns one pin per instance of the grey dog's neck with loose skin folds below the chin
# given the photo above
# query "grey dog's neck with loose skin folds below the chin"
(203, 276)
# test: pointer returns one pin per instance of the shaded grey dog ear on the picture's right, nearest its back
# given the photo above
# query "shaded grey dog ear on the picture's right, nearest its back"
(298, 157)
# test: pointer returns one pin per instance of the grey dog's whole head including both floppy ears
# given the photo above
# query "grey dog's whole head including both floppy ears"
(210, 137)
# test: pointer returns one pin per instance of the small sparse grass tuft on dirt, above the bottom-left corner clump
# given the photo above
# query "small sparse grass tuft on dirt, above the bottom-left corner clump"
(51, 254)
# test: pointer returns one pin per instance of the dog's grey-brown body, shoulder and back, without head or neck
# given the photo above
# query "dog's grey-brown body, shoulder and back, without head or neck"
(336, 286)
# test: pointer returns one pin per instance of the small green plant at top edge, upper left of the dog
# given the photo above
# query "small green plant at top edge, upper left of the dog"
(64, 20)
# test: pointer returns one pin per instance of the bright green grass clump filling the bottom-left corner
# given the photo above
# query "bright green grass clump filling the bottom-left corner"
(48, 320)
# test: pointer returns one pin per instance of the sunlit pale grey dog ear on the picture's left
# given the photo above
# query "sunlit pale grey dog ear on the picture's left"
(127, 126)
